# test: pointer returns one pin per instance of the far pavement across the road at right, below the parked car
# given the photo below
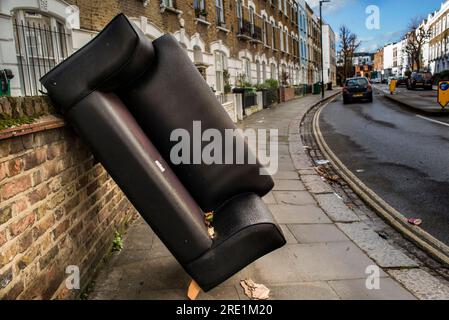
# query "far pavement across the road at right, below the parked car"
(419, 100)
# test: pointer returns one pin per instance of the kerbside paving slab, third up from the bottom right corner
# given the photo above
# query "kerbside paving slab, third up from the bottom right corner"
(335, 208)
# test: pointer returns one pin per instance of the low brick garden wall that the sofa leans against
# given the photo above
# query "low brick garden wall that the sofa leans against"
(57, 208)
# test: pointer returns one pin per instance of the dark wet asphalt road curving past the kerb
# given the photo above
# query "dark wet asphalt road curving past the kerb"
(402, 156)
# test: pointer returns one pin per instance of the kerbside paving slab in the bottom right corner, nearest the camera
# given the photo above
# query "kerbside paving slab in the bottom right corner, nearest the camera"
(423, 285)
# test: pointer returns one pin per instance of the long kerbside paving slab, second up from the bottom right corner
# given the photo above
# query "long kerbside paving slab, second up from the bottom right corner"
(376, 247)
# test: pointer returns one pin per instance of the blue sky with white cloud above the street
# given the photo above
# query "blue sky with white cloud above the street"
(394, 16)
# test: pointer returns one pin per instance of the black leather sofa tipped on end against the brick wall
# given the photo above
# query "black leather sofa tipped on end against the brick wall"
(124, 95)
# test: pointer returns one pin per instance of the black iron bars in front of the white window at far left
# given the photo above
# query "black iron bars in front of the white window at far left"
(39, 49)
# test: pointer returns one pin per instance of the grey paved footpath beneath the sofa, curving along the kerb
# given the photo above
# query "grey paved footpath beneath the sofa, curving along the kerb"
(329, 249)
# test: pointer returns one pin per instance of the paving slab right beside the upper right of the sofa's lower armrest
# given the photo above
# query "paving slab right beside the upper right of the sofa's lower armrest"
(291, 214)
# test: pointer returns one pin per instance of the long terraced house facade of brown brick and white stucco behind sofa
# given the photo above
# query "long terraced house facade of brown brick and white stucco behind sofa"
(230, 41)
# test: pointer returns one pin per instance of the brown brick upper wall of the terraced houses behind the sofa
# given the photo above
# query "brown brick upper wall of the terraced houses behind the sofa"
(95, 14)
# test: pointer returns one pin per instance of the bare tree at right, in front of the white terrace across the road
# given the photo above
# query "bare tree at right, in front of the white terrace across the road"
(416, 37)
